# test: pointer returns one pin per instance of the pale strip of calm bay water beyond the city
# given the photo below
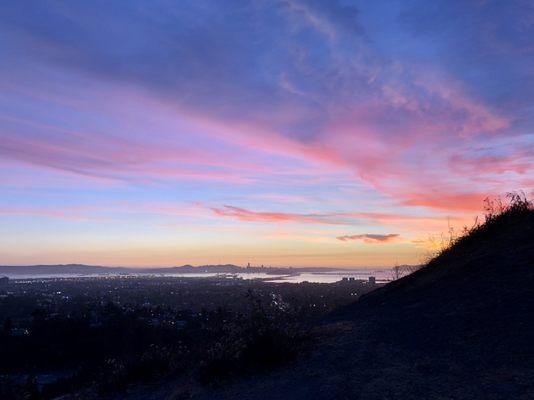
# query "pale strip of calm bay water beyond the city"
(381, 275)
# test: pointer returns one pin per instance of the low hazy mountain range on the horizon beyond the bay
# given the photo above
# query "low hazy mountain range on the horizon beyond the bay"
(81, 269)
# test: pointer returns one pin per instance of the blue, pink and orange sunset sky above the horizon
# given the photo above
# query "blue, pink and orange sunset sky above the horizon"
(285, 133)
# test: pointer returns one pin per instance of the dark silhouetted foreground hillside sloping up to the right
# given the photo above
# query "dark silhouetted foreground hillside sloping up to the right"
(460, 328)
